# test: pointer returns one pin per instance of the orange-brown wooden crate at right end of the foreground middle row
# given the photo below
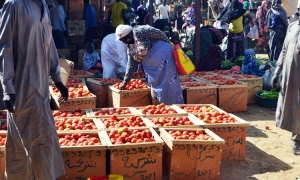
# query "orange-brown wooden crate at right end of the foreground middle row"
(234, 135)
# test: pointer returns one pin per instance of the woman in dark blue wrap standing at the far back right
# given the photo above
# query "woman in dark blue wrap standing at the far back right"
(277, 24)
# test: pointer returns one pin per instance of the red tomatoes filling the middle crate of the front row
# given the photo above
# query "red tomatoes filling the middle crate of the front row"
(126, 136)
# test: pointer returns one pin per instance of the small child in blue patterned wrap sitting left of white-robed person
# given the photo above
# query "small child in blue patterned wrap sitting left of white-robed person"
(91, 59)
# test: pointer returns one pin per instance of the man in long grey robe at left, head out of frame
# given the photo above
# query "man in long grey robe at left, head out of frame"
(28, 57)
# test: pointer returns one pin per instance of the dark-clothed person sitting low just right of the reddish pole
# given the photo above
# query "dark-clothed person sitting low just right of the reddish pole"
(212, 60)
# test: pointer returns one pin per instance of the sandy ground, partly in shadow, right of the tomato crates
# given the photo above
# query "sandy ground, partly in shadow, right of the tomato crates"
(268, 152)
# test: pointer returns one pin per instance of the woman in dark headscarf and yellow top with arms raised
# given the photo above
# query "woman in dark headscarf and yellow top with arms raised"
(235, 17)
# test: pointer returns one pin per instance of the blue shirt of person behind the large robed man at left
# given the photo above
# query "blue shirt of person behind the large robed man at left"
(58, 17)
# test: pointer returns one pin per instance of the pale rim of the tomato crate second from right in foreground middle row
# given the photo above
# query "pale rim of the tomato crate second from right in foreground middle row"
(196, 122)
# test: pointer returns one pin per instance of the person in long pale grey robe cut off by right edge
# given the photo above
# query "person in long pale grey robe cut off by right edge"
(288, 106)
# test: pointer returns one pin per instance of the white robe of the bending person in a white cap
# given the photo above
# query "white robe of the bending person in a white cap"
(114, 58)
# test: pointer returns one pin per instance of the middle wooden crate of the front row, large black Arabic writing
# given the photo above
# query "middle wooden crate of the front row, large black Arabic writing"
(136, 161)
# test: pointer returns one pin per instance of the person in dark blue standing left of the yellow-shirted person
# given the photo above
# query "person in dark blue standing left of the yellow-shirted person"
(91, 24)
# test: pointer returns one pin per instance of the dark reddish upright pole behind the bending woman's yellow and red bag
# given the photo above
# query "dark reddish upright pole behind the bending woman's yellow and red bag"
(197, 34)
